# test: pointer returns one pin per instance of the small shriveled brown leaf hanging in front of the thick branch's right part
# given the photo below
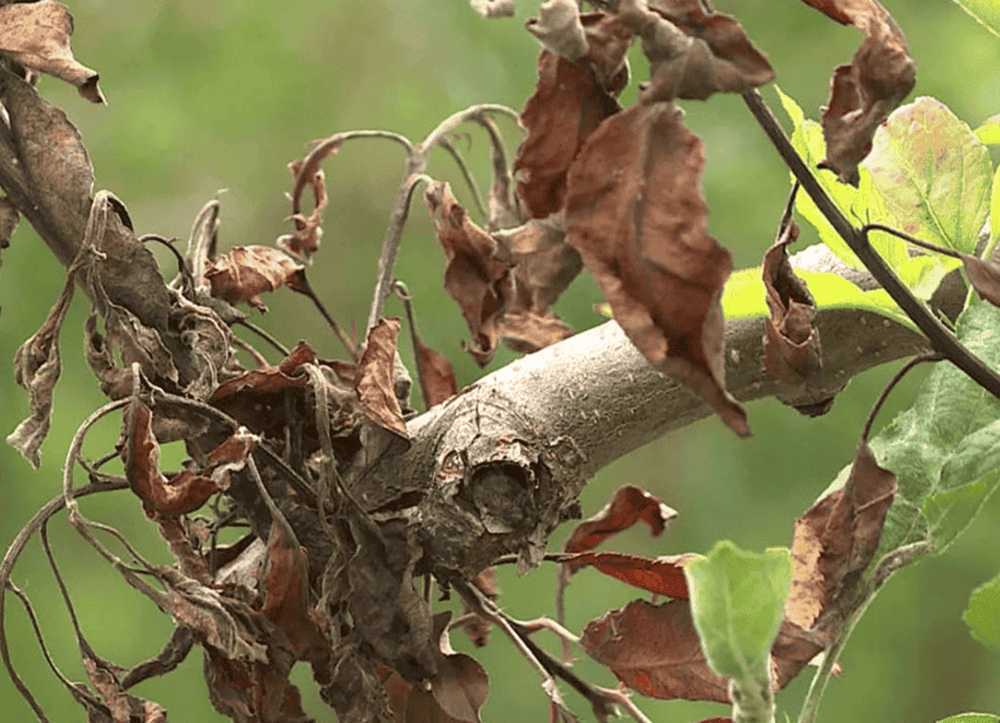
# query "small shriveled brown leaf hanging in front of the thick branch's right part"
(792, 351)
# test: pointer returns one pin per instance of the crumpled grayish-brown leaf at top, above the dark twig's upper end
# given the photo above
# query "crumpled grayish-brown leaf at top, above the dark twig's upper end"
(693, 54)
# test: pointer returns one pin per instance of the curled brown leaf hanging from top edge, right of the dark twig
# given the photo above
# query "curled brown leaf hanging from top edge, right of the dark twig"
(864, 93)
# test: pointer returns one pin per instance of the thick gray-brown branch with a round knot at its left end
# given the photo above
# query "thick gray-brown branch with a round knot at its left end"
(542, 426)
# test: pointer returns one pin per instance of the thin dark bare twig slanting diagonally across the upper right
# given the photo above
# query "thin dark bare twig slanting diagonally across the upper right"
(857, 239)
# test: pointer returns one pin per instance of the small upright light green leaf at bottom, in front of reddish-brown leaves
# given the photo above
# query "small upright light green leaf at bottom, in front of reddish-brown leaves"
(738, 603)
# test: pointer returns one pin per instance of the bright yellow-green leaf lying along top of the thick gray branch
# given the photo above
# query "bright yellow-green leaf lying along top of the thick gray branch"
(743, 296)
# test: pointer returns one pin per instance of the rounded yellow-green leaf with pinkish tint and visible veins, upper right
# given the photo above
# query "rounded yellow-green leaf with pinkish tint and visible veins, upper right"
(933, 174)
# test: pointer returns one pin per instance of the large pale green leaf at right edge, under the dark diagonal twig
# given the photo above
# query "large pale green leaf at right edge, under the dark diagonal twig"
(945, 449)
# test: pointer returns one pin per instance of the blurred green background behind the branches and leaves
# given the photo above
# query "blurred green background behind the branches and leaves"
(211, 95)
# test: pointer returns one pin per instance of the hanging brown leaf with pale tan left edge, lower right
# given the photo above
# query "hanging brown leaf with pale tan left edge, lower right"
(836, 538)
